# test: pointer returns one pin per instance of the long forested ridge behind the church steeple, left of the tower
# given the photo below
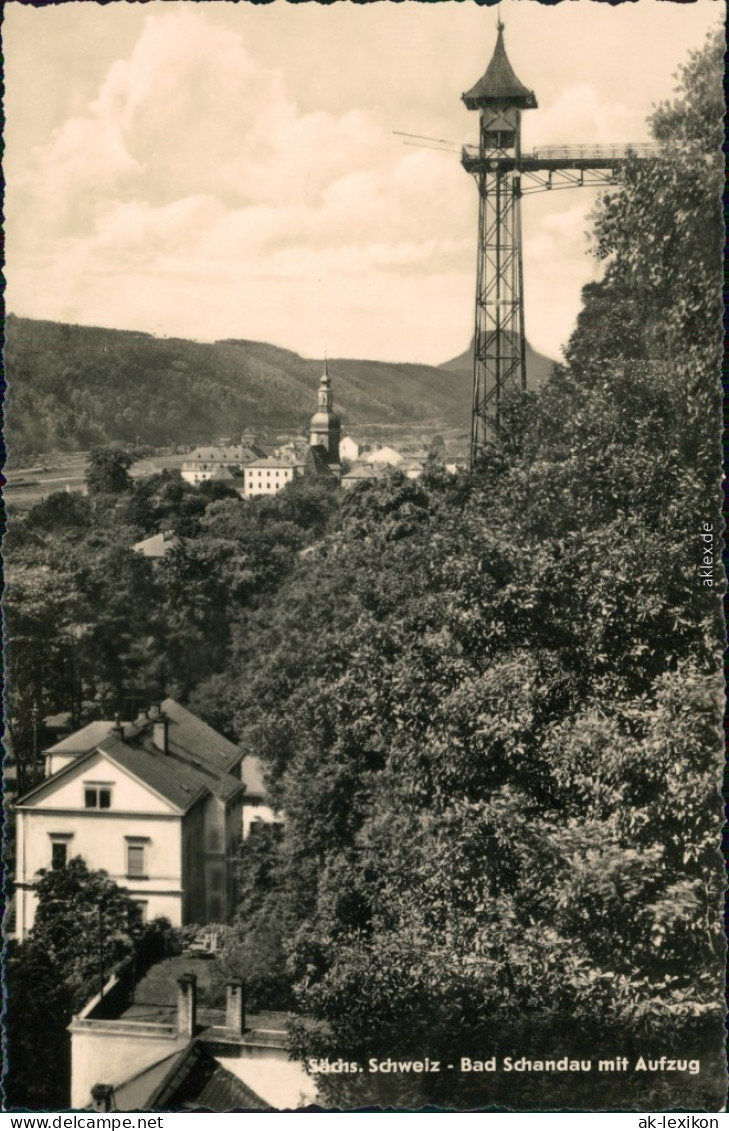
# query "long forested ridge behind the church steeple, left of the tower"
(77, 386)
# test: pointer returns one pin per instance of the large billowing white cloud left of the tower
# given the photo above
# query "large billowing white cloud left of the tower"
(219, 186)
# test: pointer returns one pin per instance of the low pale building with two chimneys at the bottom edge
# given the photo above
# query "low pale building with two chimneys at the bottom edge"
(126, 1060)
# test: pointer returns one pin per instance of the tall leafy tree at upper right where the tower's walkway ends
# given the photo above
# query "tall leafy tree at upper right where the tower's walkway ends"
(663, 238)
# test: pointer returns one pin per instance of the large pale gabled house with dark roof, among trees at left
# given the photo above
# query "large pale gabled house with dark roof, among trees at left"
(161, 805)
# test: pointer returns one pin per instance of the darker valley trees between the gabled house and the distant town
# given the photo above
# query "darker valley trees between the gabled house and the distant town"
(94, 628)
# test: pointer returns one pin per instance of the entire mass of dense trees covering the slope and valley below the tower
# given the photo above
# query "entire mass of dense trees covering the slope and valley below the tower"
(489, 707)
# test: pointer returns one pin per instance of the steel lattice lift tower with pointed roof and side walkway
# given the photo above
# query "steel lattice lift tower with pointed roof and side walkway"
(504, 175)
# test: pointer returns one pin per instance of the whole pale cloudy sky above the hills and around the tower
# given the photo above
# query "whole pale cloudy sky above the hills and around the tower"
(218, 170)
